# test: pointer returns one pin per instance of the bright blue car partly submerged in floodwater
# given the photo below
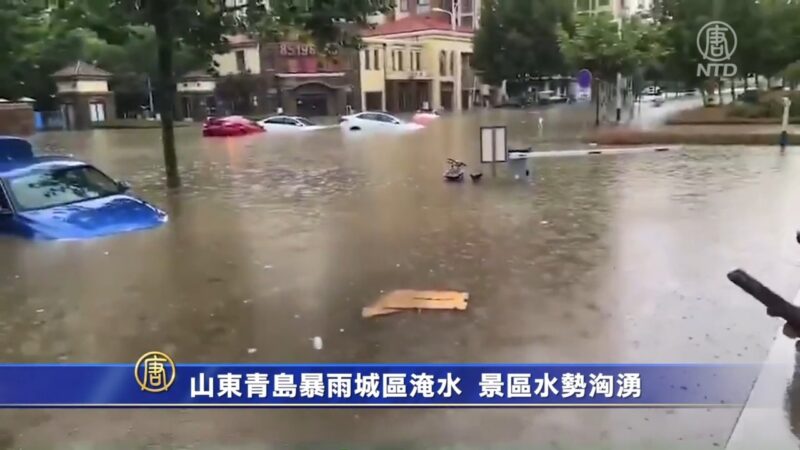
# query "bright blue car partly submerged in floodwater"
(57, 197)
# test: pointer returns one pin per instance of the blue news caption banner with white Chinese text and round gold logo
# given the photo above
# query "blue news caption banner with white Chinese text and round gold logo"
(155, 381)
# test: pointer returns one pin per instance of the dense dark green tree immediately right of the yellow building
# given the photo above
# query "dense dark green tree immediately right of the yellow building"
(518, 39)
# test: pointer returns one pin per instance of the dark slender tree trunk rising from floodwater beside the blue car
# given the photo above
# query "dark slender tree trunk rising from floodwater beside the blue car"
(166, 87)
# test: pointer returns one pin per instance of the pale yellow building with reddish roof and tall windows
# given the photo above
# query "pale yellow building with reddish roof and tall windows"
(417, 60)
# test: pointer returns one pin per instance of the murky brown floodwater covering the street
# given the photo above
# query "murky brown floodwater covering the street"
(274, 240)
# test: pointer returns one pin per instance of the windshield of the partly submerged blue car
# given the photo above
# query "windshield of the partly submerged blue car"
(62, 186)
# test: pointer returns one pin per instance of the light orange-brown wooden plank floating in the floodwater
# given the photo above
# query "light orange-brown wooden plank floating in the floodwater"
(404, 299)
